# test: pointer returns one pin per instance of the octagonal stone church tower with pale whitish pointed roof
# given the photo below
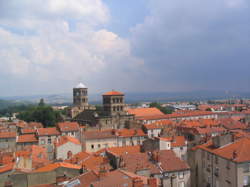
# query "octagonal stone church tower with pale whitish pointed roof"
(80, 95)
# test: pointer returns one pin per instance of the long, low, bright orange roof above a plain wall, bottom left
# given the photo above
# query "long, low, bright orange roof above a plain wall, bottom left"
(53, 166)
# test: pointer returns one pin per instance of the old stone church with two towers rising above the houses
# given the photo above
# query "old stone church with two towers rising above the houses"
(112, 114)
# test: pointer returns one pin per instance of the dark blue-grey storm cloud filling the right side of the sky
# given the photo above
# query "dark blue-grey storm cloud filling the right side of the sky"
(196, 44)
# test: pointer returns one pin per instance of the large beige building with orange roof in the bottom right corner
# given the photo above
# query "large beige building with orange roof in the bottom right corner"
(221, 162)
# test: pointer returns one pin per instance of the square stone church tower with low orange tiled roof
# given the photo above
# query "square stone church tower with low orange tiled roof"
(113, 103)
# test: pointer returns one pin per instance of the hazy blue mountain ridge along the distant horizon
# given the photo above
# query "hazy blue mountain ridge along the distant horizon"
(66, 98)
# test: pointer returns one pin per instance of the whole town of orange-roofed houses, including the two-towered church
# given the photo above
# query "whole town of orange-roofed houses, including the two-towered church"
(125, 146)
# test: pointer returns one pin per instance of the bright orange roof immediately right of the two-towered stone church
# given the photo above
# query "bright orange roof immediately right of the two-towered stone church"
(143, 112)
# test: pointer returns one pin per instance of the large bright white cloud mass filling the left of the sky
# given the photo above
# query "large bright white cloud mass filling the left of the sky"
(57, 41)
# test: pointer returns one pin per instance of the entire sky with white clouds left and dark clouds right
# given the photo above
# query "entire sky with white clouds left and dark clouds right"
(49, 46)
